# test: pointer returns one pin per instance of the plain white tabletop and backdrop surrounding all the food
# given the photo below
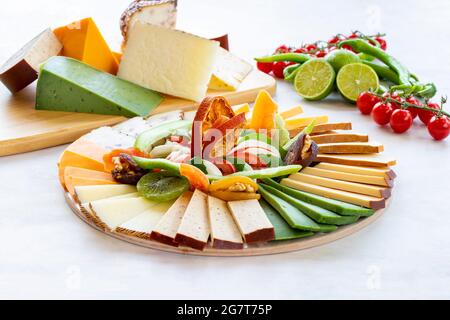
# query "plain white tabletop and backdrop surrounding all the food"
(47, 252)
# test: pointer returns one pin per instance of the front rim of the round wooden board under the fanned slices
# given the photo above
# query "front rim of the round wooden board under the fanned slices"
(253, 250)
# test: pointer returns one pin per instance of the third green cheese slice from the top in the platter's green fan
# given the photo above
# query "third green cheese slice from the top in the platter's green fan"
(294, 217)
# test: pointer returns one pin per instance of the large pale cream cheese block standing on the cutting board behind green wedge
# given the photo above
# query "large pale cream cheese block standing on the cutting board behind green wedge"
(168, 61)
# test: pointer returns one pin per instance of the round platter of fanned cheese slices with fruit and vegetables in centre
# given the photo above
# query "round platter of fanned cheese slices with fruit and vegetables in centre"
(179, 182)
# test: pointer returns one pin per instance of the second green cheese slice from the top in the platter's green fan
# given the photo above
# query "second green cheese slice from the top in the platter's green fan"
(316, 213)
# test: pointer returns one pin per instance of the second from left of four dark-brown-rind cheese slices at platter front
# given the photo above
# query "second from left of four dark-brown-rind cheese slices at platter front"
(194, 228)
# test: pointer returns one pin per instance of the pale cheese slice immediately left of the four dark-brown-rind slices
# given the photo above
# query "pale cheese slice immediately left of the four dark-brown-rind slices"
(142, 225)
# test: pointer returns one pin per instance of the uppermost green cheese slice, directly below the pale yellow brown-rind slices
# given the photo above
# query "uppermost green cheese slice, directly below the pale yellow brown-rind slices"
(340, 207)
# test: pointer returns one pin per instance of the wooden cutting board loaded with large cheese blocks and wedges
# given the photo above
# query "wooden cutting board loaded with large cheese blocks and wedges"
(82, 84)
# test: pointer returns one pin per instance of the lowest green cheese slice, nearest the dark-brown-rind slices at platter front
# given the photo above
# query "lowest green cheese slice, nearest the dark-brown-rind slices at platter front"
(282, 230)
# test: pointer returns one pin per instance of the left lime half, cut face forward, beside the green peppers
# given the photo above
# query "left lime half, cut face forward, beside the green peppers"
(314, 79)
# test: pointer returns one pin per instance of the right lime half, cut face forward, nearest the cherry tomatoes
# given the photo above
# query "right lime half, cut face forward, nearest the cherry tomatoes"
(355, 78)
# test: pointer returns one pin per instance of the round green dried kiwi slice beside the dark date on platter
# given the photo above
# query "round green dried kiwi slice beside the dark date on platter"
(162, 186)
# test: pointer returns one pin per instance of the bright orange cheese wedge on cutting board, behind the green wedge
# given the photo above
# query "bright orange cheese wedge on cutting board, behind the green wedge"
(83, 41)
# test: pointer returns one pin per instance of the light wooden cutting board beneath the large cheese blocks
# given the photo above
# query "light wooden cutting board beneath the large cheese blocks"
(23, 129)
